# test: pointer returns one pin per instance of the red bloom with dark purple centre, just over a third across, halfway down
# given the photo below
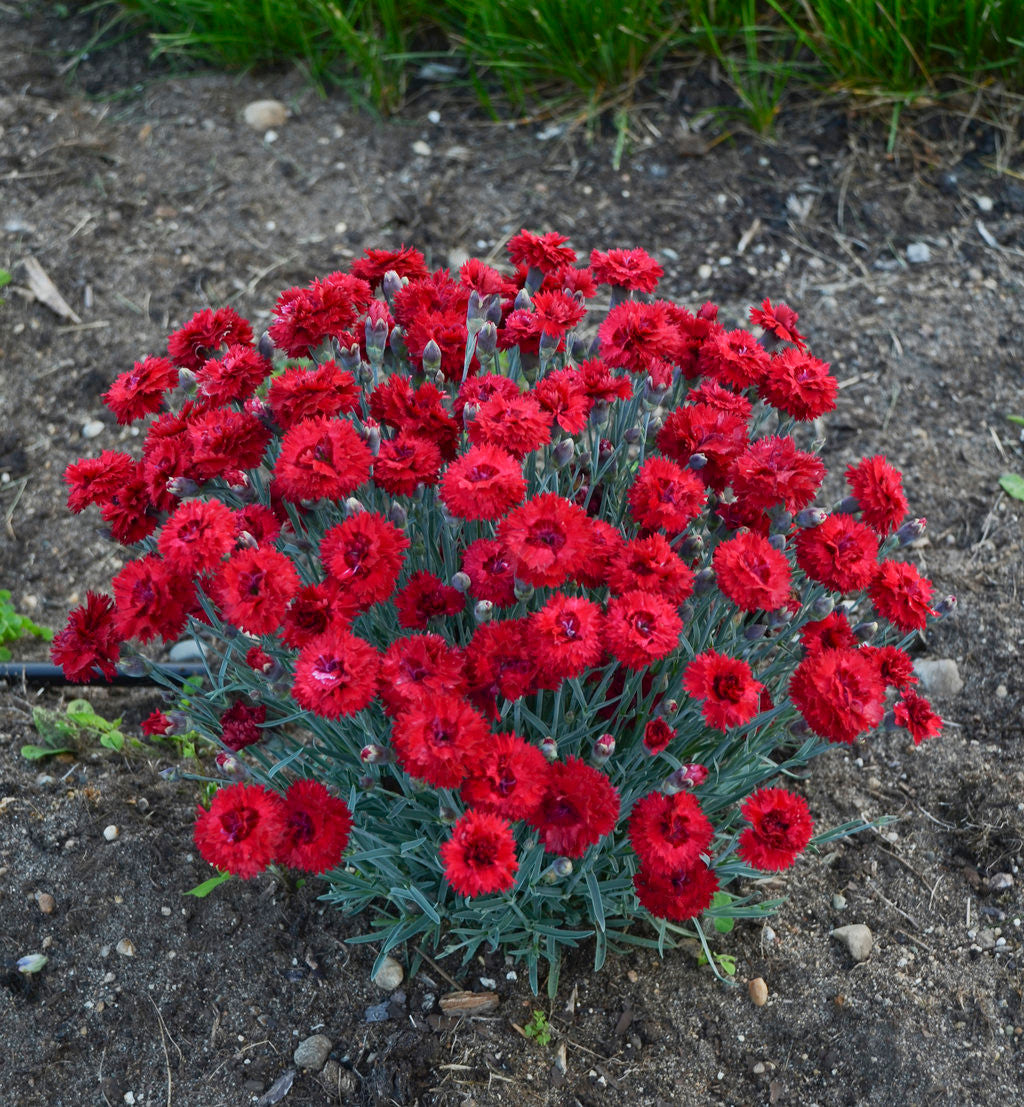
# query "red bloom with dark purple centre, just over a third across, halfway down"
(365, 554)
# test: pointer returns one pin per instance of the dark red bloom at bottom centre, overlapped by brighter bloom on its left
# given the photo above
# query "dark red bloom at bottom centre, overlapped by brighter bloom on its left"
(580, 808)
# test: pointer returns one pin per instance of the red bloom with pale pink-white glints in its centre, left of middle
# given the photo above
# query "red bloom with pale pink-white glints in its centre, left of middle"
(336, 675)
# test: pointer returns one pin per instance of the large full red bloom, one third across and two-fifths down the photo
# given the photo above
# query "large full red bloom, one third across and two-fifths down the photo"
(322, 459)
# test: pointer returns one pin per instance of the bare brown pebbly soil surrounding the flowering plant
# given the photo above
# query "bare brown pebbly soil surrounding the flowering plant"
(146, 198)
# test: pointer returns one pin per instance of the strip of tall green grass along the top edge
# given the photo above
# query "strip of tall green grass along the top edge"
(537, 51)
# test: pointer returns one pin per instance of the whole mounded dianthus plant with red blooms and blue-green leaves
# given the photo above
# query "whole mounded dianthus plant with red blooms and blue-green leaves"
(519, 615)
